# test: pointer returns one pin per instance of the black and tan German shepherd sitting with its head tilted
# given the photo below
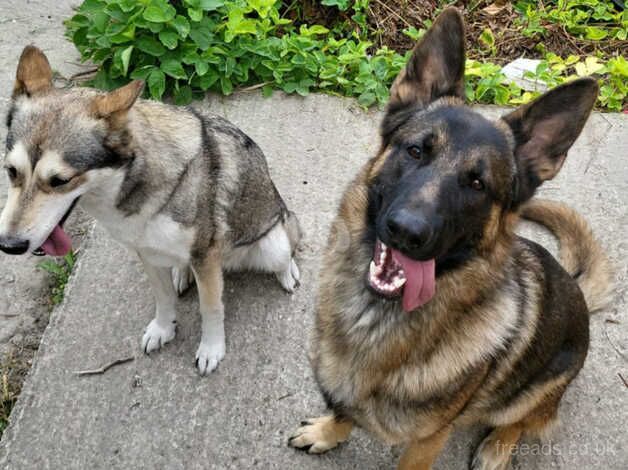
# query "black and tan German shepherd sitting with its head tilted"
(432, 313)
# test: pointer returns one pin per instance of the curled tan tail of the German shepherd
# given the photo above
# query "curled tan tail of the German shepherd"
(581, 254)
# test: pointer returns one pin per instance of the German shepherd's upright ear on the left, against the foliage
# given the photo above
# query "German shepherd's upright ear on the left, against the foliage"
(436, 67)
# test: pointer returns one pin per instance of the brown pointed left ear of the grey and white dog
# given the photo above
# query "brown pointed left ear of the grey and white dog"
(33, 75)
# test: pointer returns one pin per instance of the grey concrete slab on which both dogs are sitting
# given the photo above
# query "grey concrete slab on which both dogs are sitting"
(155, 412)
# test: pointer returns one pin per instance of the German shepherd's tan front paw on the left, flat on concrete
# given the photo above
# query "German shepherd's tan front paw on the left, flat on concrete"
(319, 435)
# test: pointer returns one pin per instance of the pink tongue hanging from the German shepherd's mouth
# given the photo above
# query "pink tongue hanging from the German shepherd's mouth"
(420, 281)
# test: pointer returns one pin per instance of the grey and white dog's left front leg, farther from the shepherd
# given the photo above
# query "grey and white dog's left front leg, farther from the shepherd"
(162, 328)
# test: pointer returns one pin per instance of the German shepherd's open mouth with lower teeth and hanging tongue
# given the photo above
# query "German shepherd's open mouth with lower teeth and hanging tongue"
(392, 274)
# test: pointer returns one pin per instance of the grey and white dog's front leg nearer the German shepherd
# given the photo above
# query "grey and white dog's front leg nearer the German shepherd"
(208, 276)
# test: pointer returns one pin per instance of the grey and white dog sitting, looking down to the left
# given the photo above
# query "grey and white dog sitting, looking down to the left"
(188, 191)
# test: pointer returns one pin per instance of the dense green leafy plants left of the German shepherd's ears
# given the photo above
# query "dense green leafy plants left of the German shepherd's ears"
(192, 46)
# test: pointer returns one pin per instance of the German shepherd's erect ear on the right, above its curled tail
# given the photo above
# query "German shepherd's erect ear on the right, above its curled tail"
(545, 129)
